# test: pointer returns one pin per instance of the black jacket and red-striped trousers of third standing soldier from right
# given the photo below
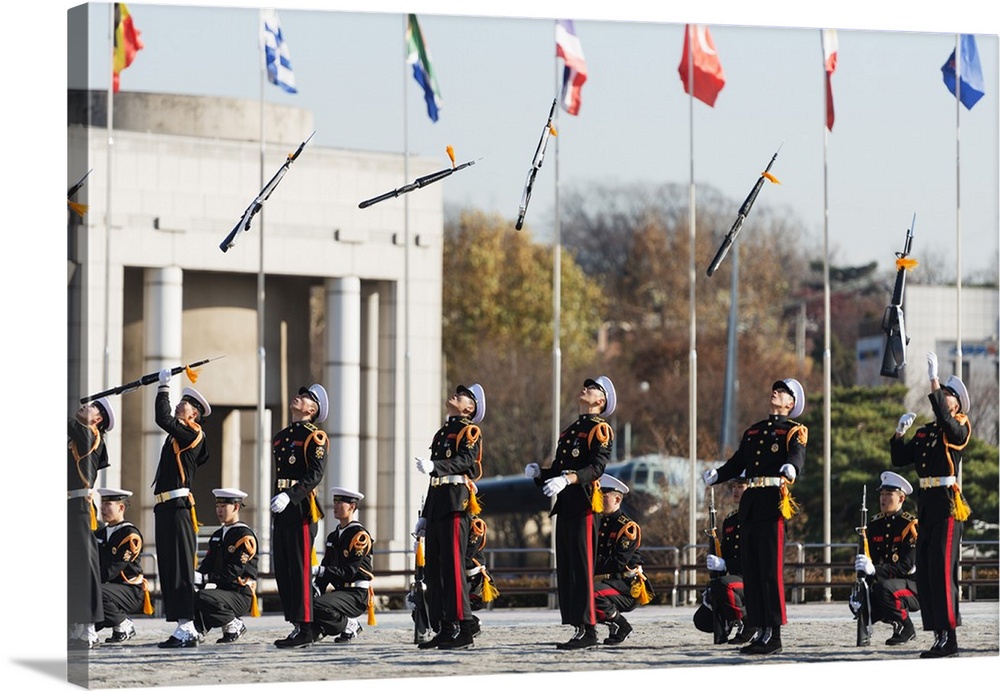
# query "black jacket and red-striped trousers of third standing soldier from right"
(584, 448)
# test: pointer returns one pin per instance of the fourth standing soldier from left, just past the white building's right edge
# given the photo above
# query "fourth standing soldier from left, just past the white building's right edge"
(455, 463)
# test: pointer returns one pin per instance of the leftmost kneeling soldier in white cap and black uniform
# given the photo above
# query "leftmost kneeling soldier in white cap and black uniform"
(123, 585)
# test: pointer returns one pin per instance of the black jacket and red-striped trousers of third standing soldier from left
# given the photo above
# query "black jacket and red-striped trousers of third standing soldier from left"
(299, 452)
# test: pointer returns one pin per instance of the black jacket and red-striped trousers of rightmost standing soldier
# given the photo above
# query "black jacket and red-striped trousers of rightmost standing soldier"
(935, 451)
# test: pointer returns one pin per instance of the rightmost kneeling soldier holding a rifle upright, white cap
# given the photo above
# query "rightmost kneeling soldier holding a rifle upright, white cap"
(890, 569)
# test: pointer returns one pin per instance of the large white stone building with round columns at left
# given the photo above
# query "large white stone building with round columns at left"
(157, 291)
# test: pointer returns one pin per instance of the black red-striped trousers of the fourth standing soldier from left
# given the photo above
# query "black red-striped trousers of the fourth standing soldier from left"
(444, 570)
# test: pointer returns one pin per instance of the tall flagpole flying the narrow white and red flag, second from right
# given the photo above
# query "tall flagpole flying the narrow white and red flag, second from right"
(826, 336)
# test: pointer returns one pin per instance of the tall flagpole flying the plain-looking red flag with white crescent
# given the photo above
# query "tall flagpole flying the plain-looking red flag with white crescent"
(693, 354)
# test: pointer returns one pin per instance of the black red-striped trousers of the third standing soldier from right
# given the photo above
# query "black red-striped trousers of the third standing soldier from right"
(576, 536)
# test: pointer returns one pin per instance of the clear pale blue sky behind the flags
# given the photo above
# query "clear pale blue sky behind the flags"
(891, 154)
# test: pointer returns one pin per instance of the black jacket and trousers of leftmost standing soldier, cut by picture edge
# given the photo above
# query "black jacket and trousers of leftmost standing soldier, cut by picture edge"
(87, 454)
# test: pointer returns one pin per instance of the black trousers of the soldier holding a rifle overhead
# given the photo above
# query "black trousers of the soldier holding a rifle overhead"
(176, 550)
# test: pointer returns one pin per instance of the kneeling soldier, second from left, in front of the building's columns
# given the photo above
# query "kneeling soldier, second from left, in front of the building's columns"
(230, 564)
